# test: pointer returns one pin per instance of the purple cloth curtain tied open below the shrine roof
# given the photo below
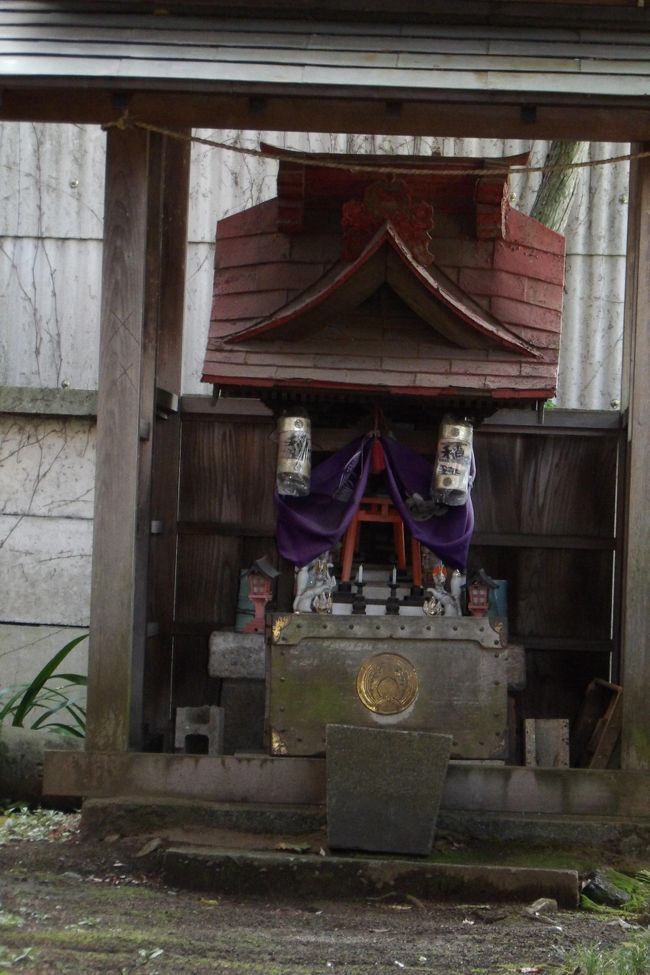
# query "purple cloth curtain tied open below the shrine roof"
(308, 526)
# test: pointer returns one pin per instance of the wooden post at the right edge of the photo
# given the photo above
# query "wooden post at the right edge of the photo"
(635, 750)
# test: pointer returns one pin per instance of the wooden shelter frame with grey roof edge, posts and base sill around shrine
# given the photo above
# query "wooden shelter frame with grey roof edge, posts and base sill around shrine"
(472, 67)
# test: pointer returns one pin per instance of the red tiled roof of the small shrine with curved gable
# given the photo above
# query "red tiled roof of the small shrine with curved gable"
(426, 283)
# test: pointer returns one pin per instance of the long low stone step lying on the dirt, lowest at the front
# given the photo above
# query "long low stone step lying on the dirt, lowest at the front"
(280, 874)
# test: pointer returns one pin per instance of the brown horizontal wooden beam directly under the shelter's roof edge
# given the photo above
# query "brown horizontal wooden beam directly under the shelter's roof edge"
(449, 114)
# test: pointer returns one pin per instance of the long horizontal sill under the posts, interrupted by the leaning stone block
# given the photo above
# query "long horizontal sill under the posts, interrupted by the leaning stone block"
(469, 787)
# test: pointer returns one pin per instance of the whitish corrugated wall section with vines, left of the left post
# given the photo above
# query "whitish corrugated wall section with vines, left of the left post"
(51, 220)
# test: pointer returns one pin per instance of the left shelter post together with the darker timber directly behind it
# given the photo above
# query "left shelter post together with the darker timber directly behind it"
(143, 287)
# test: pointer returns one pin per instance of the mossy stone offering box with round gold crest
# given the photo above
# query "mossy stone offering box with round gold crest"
(447, 675)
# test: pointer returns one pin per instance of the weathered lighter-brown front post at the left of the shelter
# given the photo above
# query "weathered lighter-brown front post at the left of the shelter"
(132, 290)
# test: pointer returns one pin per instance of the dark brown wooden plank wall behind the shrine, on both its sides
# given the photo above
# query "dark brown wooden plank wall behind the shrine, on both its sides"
(545, 504)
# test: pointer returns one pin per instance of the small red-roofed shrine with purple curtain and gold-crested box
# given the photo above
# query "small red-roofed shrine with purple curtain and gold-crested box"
(413, 291)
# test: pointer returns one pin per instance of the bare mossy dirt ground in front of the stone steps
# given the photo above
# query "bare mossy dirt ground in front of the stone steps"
(73, 905)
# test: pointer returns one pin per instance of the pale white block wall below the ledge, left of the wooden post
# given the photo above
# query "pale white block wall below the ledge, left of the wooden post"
(47, 468)
